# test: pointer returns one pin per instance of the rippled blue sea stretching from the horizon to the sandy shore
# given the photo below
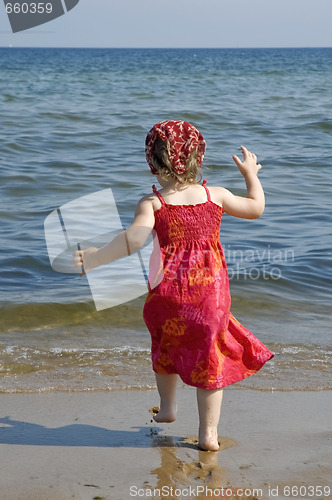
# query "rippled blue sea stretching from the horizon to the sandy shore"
(73, 123)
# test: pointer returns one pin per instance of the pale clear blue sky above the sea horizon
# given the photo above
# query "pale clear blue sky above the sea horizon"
(181, 23)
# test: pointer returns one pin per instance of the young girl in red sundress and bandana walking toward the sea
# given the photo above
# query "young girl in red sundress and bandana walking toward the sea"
(194, 335)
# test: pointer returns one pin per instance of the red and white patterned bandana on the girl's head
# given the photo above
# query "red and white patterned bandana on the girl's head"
(181, 139)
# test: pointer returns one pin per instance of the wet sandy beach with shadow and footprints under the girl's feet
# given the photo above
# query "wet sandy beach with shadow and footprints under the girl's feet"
(104, 445)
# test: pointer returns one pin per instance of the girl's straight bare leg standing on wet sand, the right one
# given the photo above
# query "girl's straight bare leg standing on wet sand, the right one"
(209, 406)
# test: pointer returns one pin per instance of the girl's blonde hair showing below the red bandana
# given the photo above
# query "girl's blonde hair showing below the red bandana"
(161, 162)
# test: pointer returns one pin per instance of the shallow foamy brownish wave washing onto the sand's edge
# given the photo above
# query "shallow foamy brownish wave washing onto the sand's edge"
(84, 368)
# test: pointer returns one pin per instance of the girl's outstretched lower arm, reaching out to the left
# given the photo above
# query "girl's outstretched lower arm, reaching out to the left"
(125, 243)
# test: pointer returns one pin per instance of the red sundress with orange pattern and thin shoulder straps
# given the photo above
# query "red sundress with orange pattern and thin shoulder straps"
(188, 314)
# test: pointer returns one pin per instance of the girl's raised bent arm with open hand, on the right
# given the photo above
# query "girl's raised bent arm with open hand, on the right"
(253, 205)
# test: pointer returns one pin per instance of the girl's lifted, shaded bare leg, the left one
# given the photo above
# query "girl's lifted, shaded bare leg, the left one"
(166, 385)
